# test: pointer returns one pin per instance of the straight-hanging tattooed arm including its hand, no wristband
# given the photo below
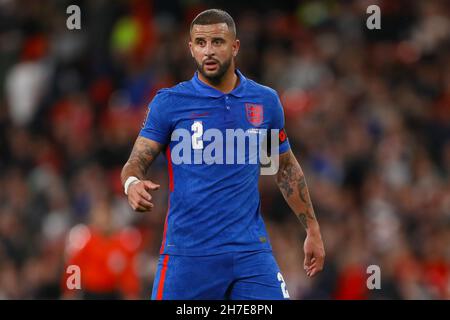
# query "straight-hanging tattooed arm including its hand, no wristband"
(292, 183)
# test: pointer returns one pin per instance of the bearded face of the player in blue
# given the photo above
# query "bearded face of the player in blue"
(213, 47)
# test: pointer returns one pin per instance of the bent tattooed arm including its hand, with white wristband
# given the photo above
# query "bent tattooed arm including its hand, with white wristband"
(143, 153)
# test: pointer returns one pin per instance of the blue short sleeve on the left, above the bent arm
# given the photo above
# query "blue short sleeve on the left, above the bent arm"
(157, 125)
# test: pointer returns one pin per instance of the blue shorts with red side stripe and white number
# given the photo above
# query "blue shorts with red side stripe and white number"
(235, 276)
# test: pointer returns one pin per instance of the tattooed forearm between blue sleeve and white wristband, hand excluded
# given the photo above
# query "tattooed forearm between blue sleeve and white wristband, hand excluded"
(143, 154)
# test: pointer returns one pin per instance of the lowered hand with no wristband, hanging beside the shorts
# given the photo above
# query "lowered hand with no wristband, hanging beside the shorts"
(314, 254)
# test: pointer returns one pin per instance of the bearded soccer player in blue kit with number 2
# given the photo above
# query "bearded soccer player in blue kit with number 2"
(215, 244)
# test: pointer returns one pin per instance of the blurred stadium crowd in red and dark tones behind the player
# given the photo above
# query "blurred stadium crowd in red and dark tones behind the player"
(367, 114)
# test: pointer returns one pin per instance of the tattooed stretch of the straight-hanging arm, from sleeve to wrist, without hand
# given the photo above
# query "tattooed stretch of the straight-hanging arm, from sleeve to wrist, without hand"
(292, 184)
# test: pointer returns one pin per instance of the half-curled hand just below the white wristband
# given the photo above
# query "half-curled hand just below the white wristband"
(139, 197)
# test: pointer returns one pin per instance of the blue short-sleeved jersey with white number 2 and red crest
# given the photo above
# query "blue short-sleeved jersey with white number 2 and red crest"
(213, 208)
